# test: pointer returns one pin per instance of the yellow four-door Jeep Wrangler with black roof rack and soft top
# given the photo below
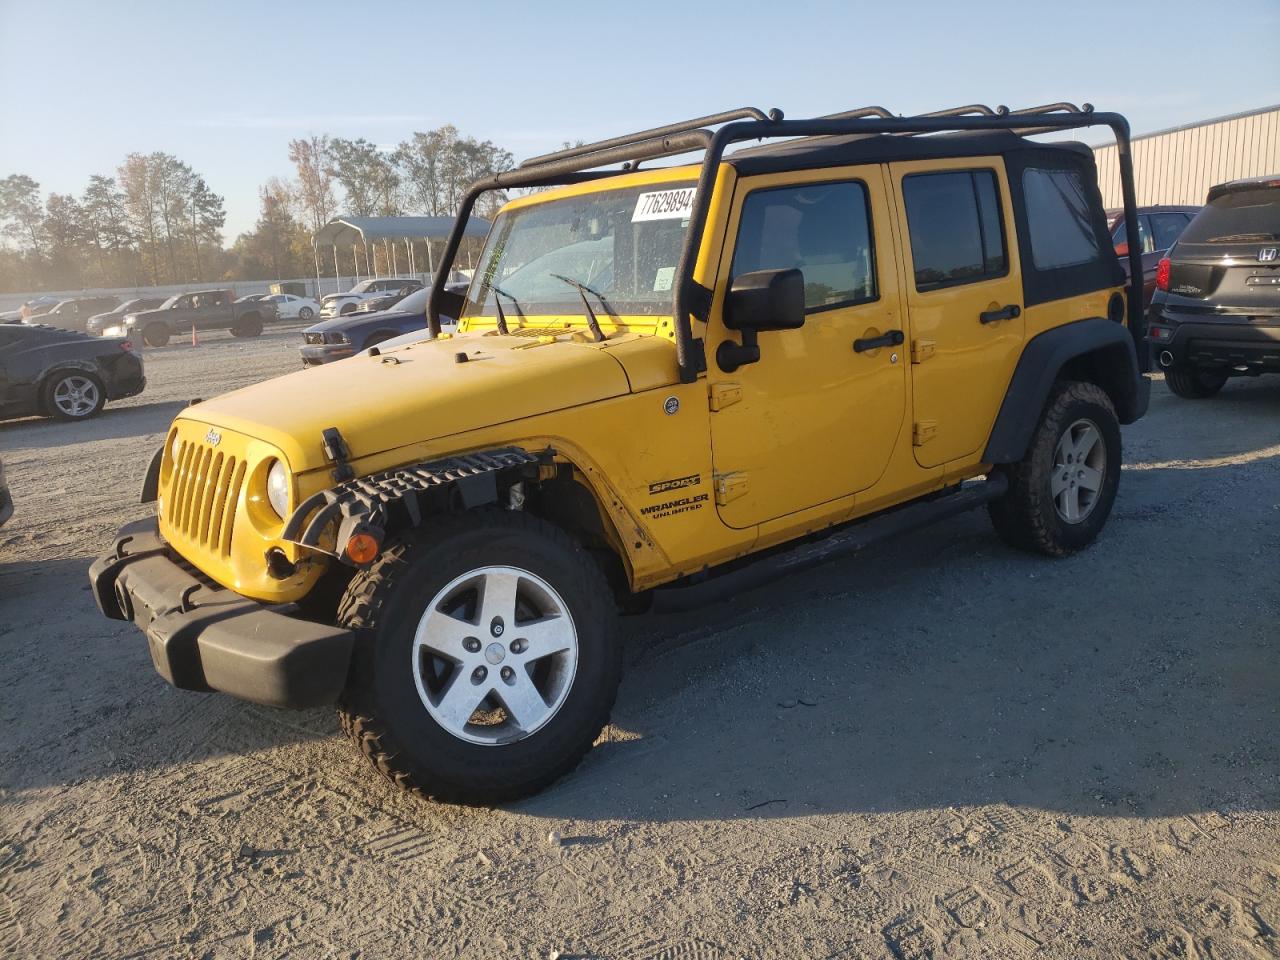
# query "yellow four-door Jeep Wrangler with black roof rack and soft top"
(659, 373)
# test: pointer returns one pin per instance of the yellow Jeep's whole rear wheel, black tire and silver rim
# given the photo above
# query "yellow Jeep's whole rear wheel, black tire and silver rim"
(1060, 495)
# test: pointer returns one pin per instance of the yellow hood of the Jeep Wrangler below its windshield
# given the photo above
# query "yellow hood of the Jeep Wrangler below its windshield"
(420, 392)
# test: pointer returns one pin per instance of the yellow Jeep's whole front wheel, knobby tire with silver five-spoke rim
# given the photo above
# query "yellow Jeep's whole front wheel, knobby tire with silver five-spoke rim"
(487, 659)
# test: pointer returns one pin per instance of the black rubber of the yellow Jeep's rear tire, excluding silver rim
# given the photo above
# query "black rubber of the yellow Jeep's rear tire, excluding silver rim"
(1026, 516)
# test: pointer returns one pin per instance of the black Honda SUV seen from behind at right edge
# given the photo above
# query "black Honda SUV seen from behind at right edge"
(1217, 310)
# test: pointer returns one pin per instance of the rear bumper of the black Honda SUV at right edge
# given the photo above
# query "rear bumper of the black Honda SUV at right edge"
(1246, 348)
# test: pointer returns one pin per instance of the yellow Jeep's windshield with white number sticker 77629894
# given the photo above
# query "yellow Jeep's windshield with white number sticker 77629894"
(621, 245)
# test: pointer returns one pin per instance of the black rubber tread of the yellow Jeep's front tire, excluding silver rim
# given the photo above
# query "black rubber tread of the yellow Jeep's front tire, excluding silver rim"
(381, 708)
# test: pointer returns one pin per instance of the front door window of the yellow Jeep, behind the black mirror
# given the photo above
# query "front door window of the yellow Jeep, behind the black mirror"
(824, 230)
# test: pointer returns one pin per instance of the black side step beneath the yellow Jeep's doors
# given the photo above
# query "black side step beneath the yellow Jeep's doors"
(724, 583)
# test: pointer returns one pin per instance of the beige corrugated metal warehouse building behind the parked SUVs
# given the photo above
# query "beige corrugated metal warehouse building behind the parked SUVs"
(1181, 164)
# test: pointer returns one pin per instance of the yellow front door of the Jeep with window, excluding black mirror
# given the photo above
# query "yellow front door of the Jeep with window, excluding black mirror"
(816, 419)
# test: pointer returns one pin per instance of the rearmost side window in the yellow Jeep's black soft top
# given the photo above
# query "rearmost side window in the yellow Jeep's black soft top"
(1059, 220)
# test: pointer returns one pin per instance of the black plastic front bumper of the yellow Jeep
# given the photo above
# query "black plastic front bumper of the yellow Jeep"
(205, 638)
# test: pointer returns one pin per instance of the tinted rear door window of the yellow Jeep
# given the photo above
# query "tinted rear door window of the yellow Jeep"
(958, 234)
